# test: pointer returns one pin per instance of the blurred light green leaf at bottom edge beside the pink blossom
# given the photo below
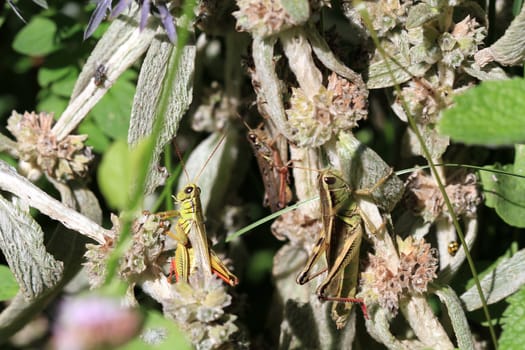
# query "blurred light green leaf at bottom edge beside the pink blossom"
(159, 333)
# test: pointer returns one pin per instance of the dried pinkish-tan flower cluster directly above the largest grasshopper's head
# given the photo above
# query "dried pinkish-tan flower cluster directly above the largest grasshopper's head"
(338, 107)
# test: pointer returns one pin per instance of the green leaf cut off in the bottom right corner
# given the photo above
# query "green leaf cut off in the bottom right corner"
(513, 335)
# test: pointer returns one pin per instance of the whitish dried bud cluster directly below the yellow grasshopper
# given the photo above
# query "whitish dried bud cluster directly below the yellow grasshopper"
(199, 312)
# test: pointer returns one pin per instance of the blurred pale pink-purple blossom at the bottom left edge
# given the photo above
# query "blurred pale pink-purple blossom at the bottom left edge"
(94, 323)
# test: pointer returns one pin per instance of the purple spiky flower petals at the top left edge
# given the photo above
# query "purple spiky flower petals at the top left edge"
(161, 9)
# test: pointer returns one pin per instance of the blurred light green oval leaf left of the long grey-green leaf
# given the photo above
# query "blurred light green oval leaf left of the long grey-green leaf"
(114, 175)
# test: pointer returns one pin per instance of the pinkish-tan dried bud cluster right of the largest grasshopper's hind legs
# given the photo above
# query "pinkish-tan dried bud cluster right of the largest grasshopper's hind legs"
(417, 267)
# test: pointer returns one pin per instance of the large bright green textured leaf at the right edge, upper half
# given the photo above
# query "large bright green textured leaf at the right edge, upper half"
(489, 114)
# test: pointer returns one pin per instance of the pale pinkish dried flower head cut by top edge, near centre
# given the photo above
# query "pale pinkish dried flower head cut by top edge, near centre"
(262, 18)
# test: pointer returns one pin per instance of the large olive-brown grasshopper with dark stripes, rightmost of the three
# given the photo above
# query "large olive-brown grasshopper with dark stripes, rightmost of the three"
(340, 241)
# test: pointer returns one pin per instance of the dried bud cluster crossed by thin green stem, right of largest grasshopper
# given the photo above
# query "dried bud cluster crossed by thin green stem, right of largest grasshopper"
(424, 198)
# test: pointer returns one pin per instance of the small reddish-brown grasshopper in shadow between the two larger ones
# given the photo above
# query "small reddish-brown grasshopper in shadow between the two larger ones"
(272, 168)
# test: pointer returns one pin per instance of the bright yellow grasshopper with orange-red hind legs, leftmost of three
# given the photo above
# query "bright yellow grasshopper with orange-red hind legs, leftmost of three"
(192, 250)
